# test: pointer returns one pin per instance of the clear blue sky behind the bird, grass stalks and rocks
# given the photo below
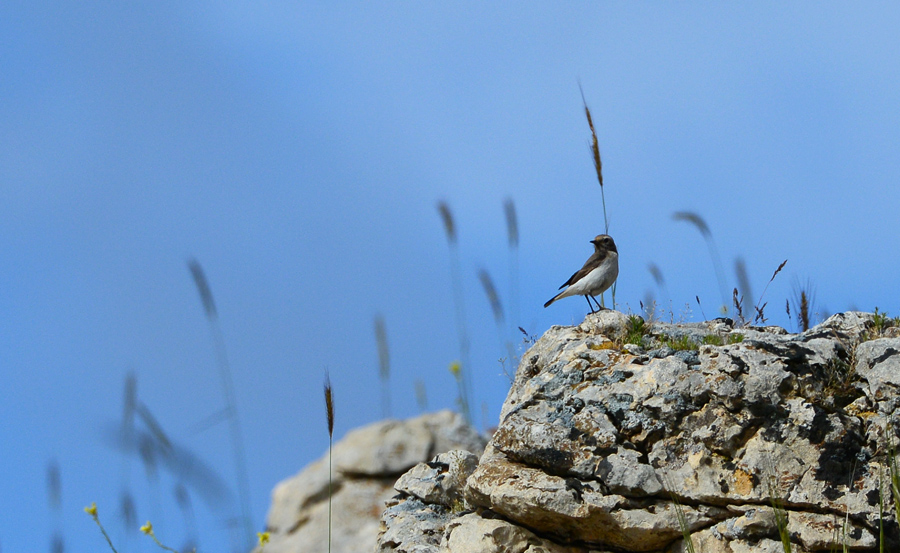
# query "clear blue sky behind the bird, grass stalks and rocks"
(298, 151)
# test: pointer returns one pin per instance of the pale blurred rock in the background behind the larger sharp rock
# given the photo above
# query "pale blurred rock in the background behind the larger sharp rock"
(366, 464)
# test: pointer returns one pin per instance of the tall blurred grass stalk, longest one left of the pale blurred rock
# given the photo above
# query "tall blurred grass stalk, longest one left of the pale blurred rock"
(237, 440)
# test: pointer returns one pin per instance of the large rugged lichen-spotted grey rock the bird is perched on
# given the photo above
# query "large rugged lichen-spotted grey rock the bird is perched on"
(624, 436)
